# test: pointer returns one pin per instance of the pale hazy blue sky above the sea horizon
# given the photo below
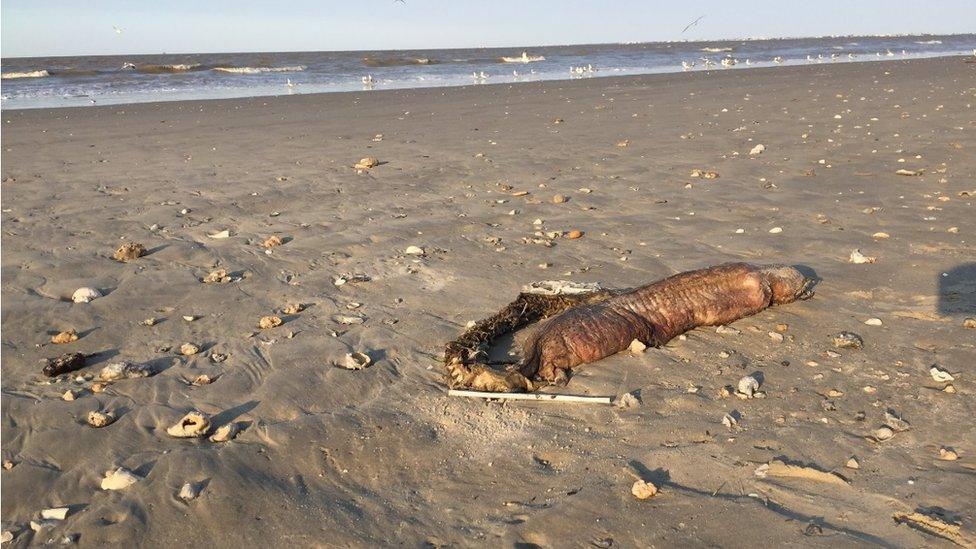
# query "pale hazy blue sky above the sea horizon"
(77, 27)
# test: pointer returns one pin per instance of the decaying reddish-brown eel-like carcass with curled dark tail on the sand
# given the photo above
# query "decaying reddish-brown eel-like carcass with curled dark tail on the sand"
(588, 328)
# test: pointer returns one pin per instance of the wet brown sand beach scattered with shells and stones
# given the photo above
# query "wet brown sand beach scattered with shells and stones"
(381, 456)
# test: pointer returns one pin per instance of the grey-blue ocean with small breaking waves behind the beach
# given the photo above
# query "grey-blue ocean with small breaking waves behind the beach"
(104, 80)
